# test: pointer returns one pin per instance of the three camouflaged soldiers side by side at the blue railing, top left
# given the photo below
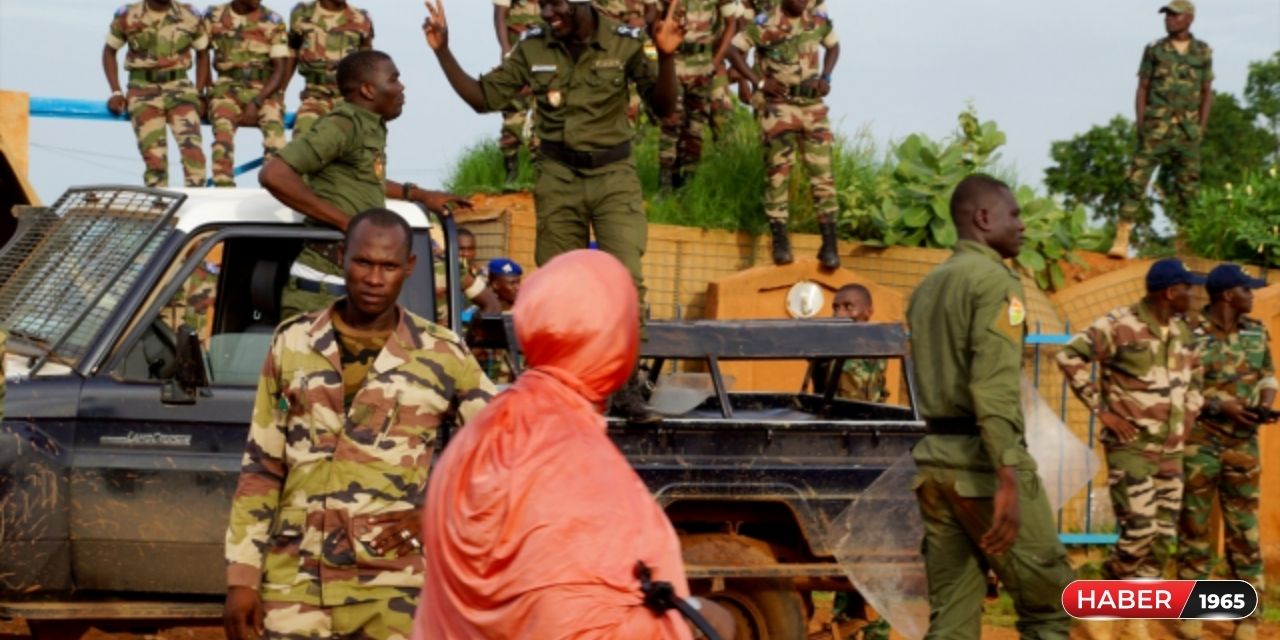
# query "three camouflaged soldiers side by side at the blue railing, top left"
(254, 53)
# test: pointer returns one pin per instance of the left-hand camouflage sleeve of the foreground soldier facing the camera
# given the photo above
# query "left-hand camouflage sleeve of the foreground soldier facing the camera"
(262, 477)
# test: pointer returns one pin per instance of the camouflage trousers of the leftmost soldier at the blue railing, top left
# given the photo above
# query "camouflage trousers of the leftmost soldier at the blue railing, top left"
(176, 104)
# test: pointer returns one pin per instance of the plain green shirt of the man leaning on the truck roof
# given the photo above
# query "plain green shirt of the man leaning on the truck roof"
(344, 158)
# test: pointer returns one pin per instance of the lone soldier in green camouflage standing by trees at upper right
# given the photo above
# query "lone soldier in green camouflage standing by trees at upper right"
(1174, 97)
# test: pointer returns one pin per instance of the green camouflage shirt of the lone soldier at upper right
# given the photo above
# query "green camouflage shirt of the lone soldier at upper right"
(1176, 84)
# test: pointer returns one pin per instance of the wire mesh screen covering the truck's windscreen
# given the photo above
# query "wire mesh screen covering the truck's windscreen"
(71, 263)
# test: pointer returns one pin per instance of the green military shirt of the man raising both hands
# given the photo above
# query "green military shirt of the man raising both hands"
(582, 104)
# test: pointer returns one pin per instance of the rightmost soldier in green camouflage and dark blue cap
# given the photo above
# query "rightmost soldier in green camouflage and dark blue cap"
(1222, 461)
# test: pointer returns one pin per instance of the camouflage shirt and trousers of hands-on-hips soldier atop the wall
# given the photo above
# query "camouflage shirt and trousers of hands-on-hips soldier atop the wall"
(788, 51)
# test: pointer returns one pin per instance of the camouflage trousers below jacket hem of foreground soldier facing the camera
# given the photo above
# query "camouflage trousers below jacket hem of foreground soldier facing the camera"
(377, 620)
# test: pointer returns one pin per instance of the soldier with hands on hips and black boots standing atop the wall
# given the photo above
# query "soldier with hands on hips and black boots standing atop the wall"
(794, 118)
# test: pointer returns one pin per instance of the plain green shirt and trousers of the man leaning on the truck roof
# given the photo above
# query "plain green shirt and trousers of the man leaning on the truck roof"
(344, 158)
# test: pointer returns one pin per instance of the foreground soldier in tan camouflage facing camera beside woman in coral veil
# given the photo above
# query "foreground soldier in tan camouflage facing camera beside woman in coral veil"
(324, 528)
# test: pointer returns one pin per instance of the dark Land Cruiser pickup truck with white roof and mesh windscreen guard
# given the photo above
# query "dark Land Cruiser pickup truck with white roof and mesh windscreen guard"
(139, 321)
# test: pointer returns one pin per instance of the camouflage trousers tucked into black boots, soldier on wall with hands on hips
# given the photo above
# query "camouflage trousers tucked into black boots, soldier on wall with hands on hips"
(793, 130)
